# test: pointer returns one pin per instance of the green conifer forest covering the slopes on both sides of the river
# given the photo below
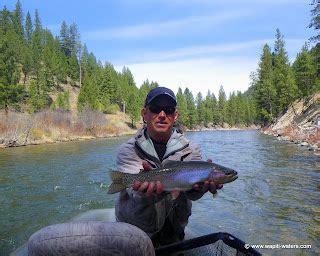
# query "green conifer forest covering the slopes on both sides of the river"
(37, 70)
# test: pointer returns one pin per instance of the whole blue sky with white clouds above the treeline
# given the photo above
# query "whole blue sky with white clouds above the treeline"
(199, 44)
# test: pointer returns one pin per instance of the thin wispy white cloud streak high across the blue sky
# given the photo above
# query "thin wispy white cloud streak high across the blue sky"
(166, 28)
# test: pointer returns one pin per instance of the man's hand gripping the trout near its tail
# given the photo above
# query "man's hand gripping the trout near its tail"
(148, 187)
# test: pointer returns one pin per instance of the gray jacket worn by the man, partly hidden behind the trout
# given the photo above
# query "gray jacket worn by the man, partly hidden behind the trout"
(149, 213)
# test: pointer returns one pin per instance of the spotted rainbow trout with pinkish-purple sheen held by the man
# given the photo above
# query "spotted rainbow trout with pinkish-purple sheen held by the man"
(175, 175)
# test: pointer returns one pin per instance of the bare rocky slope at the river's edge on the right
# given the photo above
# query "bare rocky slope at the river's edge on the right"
(300, 124)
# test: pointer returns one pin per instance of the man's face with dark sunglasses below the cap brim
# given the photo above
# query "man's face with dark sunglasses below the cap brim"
(160, 117)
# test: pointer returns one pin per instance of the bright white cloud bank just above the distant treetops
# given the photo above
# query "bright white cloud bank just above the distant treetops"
(199, 75)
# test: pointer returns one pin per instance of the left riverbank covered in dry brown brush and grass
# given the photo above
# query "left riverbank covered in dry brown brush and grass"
(22, 129)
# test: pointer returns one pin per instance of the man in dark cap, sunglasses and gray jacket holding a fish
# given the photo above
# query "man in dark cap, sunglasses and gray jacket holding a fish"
(163, 216)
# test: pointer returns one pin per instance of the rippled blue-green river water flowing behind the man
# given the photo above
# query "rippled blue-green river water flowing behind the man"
(275, 201)
